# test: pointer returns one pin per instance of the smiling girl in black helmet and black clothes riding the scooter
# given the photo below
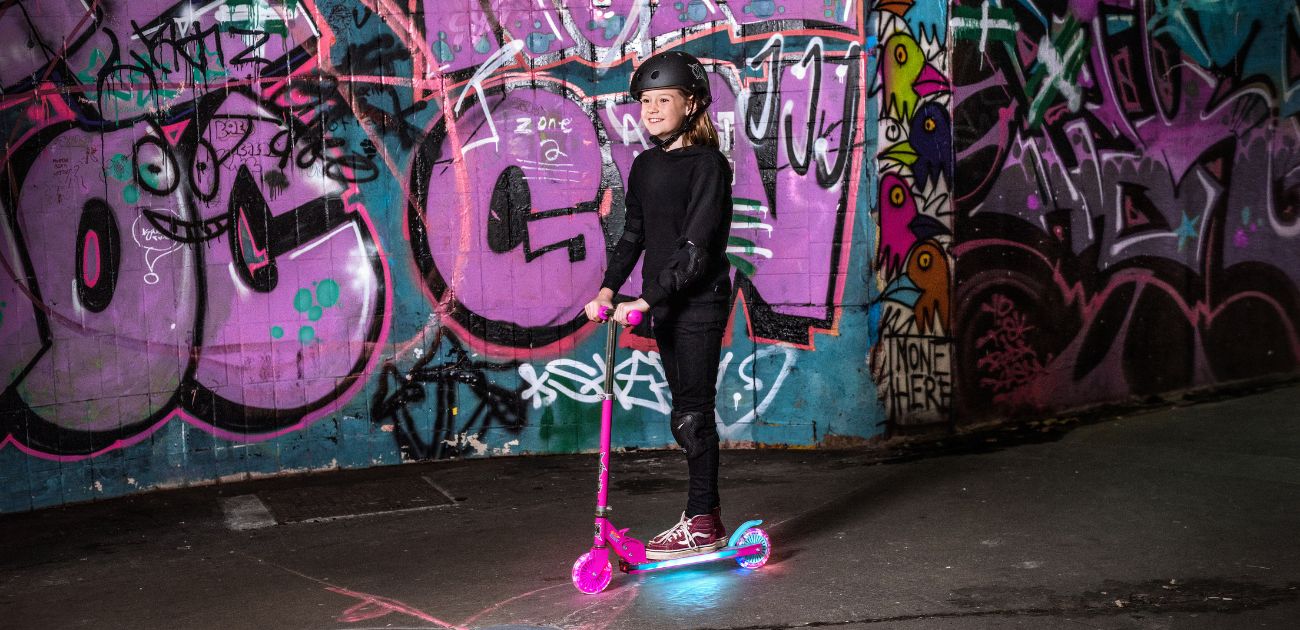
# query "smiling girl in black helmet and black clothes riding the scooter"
(679, 214)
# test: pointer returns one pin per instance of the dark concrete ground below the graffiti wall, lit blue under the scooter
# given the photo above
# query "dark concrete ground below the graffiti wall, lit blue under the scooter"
(1185, 518)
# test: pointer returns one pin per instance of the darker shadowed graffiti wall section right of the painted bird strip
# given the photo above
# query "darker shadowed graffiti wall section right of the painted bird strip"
(1128, 188)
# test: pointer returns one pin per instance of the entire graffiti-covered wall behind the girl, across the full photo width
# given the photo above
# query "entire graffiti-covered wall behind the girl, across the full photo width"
(252, 238)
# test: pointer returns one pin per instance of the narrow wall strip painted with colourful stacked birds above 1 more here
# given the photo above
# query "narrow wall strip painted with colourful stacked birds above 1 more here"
(913, 358)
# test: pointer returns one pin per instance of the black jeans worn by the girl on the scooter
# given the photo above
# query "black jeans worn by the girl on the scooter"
(691, 351)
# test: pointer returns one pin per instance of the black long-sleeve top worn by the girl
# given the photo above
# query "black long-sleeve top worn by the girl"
(675, 197)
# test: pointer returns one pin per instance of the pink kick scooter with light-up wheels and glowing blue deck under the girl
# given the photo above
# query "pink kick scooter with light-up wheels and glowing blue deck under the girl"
(593, 571)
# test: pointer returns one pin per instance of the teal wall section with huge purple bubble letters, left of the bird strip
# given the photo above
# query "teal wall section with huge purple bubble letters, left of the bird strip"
(257, 237)
